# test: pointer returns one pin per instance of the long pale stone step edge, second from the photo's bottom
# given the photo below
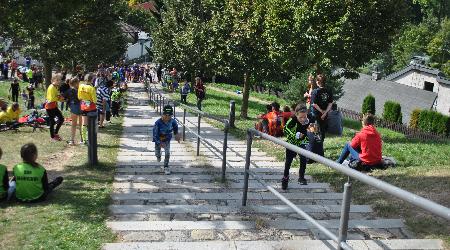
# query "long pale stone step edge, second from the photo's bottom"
(285, 224)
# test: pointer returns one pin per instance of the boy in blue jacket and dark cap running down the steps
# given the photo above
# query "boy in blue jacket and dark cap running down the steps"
(162, 134)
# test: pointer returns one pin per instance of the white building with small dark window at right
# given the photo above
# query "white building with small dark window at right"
(427, 79)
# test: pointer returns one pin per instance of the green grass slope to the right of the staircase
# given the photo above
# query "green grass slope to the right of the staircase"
(423, 166)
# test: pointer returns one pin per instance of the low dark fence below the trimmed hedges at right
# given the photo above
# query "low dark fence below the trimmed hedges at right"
(398, 127)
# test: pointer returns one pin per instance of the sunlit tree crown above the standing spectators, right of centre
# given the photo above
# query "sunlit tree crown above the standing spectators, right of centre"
(330, 33)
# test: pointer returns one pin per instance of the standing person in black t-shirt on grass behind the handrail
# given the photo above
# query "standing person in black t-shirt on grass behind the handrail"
(321, 101)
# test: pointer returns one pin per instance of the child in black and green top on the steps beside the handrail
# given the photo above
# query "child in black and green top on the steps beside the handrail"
(296, 131)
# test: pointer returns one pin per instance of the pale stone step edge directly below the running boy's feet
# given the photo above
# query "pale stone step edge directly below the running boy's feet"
(195, 177)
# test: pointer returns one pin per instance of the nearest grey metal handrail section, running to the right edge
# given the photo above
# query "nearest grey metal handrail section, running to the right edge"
(414, 199)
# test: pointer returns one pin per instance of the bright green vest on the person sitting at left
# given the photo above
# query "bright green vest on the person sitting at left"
(28, 181)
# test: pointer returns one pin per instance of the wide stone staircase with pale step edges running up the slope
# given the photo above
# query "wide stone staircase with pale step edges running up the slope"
(193, 209)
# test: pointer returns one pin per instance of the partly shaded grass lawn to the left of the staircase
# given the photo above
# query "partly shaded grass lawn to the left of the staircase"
(74, 215)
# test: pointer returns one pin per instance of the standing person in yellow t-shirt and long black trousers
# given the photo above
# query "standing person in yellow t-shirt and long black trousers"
(51, 106)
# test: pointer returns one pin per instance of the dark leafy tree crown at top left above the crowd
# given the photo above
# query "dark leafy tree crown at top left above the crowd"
(66, 32)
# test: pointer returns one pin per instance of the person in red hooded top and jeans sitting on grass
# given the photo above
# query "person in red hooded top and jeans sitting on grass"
(365, 146)
